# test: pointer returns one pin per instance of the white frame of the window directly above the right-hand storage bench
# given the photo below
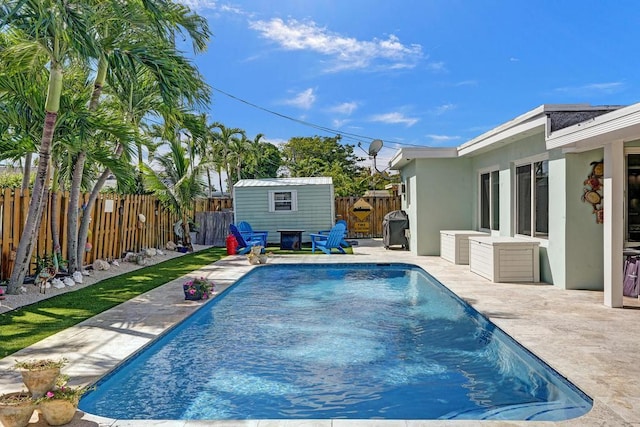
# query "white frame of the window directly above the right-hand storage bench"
(534, 221)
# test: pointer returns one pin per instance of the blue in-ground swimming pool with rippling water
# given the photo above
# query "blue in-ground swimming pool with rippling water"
(363, 341)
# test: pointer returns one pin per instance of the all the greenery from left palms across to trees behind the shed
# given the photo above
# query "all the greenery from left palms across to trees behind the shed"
(89, 88)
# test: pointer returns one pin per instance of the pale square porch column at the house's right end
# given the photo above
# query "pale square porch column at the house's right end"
(613, 236)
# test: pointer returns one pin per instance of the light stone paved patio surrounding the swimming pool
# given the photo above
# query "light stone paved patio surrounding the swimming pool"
(595, 347)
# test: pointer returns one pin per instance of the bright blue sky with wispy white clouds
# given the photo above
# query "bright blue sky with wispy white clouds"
(412, 72)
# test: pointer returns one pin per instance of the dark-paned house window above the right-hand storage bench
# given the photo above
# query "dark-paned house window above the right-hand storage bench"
(532, 199)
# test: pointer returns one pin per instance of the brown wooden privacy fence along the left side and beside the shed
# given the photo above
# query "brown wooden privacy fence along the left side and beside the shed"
(116, 226)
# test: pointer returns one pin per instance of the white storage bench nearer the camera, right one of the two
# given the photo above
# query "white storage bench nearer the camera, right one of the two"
(504, 259)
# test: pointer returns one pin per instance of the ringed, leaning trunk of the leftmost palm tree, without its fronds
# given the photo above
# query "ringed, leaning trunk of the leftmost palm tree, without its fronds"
(34, 216)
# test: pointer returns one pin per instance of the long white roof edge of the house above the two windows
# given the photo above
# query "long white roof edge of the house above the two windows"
(546, 117)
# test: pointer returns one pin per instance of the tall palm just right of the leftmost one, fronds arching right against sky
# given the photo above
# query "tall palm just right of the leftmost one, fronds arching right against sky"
(141, 38)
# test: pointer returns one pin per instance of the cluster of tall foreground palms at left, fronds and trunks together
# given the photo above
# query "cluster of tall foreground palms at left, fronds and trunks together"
(51, 49)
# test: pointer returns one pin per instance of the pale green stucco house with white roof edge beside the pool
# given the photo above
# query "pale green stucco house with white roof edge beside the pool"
(566, 177)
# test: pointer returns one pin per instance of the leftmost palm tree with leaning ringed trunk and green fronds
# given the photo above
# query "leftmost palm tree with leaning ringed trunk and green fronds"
(61, 32)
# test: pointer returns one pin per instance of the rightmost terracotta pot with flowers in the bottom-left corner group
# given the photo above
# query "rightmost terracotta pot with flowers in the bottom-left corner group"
(59, 405)
